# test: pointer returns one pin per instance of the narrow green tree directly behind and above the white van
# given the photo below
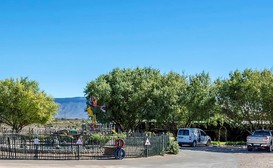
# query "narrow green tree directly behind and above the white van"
(199, 99)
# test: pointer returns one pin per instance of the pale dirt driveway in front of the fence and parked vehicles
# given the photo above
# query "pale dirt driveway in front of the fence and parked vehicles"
(205, 157)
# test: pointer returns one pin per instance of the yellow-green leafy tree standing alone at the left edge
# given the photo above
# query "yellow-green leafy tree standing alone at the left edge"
(22, 103)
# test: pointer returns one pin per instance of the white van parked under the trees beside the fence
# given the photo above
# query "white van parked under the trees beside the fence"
(193, 137)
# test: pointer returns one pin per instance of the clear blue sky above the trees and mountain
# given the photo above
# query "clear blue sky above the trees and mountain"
(64, 44)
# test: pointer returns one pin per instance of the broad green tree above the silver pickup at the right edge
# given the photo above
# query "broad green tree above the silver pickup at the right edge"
(246, 98)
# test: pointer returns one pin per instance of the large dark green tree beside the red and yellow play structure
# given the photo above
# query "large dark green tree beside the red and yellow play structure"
(124, 93)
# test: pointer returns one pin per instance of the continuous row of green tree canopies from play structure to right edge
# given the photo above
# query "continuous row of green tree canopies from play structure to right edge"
(133, 96)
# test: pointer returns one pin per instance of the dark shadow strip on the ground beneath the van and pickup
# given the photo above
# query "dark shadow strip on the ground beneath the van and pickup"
(223, 149)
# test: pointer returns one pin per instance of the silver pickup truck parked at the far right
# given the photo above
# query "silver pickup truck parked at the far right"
(260, 139)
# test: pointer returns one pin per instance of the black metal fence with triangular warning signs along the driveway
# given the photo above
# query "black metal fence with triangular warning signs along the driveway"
(65, 147)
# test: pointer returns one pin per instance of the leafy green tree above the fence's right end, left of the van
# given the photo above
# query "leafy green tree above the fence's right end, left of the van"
(165, 101)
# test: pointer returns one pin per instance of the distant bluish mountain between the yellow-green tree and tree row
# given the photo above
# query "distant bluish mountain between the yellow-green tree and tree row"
(71, 108)
